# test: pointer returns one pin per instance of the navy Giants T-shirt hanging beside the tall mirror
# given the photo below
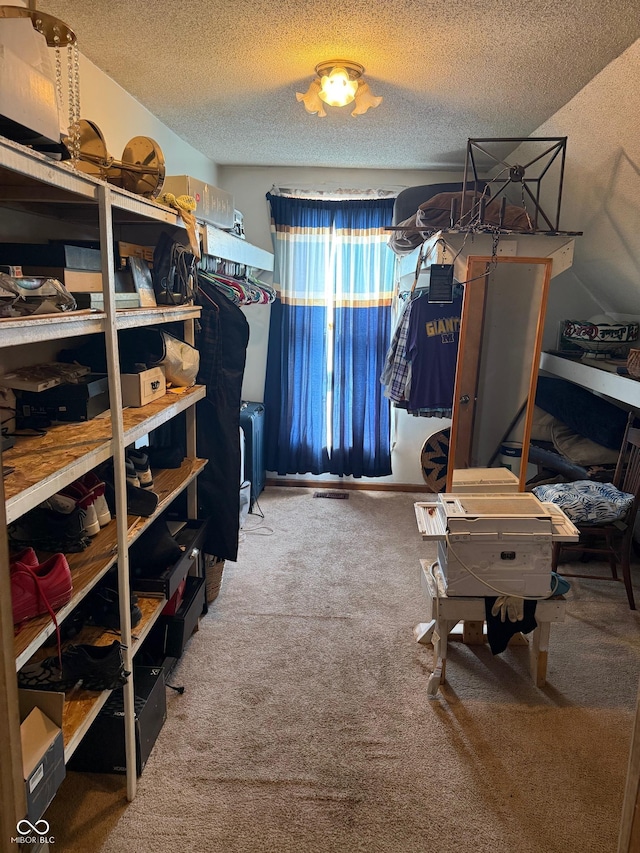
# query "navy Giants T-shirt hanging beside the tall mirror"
(432, 346)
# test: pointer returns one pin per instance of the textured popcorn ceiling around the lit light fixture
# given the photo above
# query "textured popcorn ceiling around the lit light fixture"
(224, 75)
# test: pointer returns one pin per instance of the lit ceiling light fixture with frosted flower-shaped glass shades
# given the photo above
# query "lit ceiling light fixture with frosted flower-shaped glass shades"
(338, 83)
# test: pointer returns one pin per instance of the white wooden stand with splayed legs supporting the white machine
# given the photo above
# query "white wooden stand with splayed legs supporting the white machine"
(445, 613)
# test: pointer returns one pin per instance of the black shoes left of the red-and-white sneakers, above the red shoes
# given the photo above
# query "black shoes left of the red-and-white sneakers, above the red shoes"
(47, 529)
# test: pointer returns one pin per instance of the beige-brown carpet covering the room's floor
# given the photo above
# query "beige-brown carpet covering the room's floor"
(305, 725)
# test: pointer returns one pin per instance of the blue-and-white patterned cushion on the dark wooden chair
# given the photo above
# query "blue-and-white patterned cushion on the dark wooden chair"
(587, 502)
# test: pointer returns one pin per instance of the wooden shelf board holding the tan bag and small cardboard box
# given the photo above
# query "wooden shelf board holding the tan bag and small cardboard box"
(45, 464)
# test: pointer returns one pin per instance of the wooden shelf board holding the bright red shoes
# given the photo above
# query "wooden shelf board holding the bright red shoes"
(89, 566)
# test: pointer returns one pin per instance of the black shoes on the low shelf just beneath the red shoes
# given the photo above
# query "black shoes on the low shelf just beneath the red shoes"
(97, 667)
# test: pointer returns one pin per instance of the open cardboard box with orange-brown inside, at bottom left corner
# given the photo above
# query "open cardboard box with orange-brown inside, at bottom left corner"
(42, 748)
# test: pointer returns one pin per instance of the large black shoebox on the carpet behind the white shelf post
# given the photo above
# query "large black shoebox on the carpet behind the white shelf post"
(102, 749)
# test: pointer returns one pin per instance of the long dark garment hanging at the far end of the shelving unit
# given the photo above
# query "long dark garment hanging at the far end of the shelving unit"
(222, 341)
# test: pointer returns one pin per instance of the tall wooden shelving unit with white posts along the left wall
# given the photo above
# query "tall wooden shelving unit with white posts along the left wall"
(60, 199)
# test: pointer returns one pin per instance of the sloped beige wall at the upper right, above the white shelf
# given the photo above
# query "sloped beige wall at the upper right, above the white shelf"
(602, 191)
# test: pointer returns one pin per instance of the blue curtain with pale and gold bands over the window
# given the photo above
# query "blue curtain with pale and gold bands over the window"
(329, 333)
